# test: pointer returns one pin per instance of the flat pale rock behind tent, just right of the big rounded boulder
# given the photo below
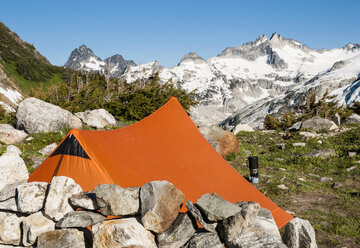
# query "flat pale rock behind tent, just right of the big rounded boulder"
(98, 118)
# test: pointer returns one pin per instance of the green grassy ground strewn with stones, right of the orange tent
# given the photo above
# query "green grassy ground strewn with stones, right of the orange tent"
(332, 207)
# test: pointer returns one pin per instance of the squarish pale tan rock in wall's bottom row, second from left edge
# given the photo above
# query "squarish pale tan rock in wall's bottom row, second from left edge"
(34, 225)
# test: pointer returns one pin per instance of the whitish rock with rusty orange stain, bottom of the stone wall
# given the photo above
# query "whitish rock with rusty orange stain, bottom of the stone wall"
(128, 232)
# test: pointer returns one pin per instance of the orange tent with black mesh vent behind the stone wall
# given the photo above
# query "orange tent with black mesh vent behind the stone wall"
(166, 145)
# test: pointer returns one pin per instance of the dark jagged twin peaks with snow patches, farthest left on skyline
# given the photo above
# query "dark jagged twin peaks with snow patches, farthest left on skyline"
(83, 58)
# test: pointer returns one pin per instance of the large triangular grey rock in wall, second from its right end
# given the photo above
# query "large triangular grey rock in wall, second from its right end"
(263, 232)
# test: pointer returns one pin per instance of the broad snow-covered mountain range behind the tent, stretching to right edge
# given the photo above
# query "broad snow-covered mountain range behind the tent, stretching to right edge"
(243, 83)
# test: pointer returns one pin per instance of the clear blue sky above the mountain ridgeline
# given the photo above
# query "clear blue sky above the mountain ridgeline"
(166, 30)
